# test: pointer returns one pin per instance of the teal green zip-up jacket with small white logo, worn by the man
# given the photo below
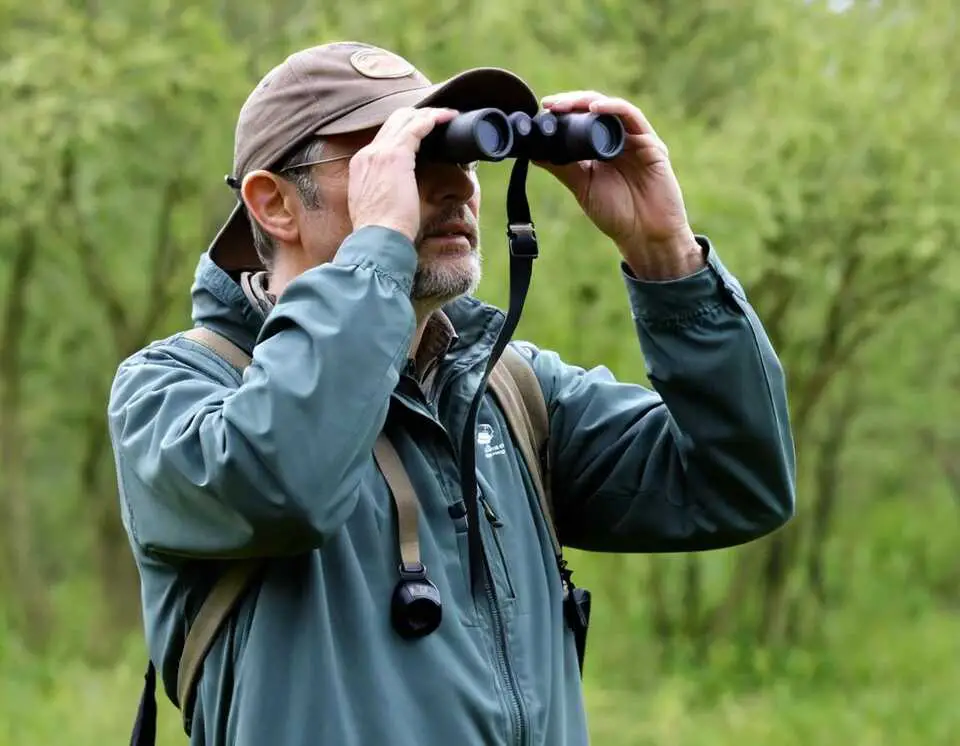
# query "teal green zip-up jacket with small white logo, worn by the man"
(278, 464)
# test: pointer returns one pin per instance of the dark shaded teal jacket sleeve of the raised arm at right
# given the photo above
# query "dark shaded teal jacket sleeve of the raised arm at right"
(705, 460)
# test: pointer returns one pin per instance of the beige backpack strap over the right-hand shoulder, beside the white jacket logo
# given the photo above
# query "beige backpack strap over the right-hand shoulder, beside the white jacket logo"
(516, 387)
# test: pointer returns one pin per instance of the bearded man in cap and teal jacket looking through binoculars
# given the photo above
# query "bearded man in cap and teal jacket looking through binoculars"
(346, 272)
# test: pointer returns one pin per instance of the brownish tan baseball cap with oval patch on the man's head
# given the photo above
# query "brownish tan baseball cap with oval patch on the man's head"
(337, 88)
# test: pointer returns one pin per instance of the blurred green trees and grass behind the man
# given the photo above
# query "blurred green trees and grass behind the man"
(816, 144)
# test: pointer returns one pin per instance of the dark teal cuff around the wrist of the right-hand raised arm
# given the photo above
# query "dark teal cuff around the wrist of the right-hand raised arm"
(673, 300)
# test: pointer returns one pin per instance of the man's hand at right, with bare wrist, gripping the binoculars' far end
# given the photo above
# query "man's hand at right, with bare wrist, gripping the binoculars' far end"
(635, 198)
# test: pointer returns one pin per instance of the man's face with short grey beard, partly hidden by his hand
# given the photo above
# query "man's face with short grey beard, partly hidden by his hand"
(448, 242)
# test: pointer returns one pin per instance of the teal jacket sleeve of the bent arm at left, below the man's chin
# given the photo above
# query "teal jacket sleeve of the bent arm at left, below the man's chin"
(212, 467)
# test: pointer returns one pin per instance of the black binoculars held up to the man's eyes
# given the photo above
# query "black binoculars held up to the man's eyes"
(491, 135)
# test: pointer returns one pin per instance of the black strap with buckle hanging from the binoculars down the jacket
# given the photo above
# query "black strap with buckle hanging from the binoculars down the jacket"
(523, 250)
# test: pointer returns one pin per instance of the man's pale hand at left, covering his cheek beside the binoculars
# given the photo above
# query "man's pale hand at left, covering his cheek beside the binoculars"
(383, 186)
